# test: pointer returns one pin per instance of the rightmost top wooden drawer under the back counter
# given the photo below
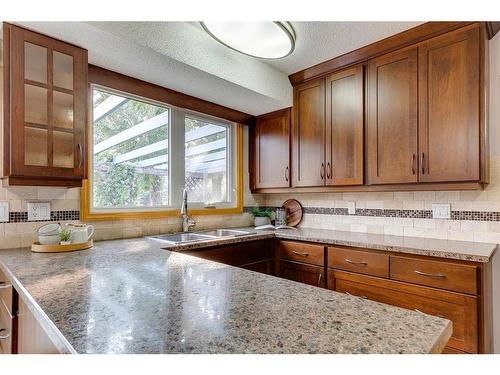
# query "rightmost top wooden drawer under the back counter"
(444, 275)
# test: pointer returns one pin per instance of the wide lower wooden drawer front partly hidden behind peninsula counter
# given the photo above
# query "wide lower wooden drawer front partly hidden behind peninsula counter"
(461, 309)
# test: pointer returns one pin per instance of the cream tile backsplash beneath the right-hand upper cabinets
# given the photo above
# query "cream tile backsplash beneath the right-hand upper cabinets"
(475, 215)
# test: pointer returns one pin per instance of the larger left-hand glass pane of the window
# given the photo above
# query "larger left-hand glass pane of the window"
(130, 152)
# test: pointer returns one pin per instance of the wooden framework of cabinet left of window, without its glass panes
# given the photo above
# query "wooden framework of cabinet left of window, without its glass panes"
(14, 167)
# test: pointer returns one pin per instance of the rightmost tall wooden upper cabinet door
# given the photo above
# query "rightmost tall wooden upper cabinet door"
(449, 117)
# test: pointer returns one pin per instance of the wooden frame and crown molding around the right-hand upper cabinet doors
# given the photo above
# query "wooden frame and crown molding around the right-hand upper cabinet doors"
(410, 40)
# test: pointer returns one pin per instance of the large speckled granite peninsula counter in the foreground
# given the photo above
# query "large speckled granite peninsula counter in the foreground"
(130, 296)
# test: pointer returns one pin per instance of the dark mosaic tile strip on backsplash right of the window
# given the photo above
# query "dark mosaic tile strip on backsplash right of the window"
(411, 214)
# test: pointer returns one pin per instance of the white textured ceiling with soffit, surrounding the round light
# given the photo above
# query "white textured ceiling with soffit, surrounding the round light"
(181, 56)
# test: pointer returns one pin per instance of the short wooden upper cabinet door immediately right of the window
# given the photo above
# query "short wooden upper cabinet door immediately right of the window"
(272, 150)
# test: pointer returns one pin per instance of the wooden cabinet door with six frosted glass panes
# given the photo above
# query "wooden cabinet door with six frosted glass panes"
(48, 106)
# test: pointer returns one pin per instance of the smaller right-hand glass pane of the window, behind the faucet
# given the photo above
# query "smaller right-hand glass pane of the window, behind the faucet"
(206, 151)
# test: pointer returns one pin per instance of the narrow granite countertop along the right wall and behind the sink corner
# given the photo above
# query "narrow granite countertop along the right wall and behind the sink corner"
(470, 251)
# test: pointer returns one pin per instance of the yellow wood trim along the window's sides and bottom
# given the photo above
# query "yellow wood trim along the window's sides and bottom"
(86, 201)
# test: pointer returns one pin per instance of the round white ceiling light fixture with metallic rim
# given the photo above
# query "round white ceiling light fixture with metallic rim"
(265, 40)
